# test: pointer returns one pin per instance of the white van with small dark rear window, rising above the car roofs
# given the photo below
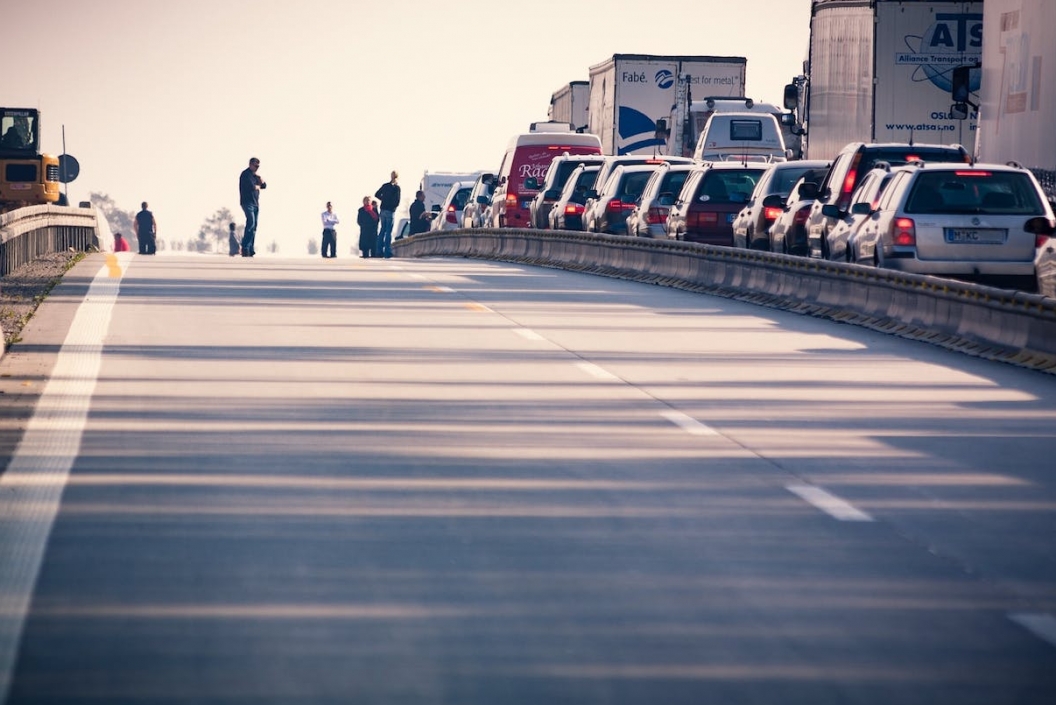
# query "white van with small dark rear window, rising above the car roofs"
(742, 138)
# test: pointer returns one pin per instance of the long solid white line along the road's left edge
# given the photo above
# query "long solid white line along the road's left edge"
(33, 485)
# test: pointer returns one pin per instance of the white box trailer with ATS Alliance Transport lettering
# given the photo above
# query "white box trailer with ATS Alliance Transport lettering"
(881, 71)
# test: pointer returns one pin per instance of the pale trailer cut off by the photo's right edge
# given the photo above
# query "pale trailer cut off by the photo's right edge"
(1019, 93)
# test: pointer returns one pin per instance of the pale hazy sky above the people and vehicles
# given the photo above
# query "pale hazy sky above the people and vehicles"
(166, 102)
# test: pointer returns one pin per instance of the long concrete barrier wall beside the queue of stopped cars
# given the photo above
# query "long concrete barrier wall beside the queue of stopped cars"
(997, 325)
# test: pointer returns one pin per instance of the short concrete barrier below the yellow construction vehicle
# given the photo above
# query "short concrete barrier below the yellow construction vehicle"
(28, 234)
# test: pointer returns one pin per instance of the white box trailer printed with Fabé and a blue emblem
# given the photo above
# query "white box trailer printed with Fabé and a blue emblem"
(631, 92)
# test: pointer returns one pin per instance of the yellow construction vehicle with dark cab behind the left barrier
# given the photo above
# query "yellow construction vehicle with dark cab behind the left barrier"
(27, 177)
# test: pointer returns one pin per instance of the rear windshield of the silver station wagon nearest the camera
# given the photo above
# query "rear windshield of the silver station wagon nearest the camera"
(974, 192)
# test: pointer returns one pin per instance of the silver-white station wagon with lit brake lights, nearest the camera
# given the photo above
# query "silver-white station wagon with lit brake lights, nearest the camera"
(959, 221)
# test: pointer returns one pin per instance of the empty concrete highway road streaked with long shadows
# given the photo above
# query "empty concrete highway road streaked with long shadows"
(460, 482)
